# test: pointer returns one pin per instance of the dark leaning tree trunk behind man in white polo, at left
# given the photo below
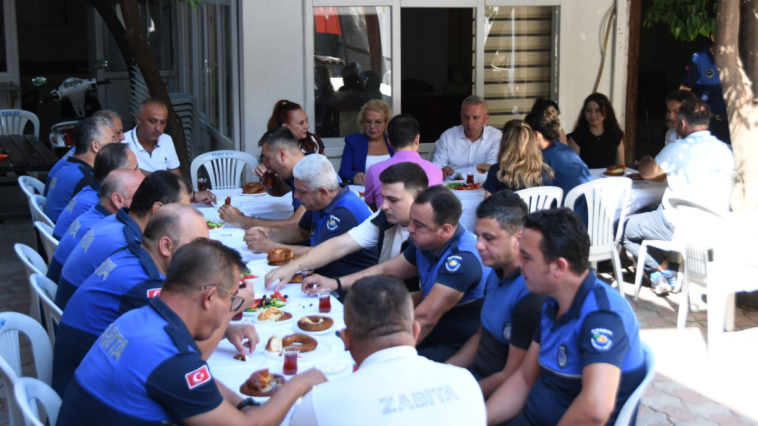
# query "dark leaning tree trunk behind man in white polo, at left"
(146, 63)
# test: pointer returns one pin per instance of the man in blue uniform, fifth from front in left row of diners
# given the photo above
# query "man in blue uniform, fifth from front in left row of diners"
(111, 157)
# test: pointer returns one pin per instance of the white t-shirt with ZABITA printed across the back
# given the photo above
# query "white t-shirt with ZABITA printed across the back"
(395, 386)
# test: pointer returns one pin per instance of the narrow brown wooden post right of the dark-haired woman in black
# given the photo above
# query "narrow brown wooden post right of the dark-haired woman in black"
(633, 67)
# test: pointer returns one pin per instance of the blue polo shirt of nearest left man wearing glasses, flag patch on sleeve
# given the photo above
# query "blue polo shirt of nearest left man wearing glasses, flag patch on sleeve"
(145, 369)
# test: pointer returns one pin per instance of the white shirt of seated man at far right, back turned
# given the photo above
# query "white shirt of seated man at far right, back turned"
(689, 165)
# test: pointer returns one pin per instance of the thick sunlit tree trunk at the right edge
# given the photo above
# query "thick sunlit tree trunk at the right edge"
(738, 95)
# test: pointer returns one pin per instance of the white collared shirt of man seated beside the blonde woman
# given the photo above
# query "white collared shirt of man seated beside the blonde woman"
(454, 149)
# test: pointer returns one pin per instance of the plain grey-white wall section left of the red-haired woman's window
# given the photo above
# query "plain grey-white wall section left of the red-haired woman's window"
(272, 63)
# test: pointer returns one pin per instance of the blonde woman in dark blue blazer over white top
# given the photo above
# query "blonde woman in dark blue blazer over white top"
(371, 146)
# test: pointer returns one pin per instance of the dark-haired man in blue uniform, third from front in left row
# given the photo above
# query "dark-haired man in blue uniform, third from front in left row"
(113, 232)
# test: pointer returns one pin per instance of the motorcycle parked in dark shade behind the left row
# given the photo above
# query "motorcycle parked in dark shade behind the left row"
(76, 104)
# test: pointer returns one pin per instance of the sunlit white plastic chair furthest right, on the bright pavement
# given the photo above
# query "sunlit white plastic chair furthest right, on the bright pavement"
(708, 264)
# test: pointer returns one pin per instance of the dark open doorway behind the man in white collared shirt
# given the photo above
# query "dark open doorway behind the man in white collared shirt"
(437, 62)
